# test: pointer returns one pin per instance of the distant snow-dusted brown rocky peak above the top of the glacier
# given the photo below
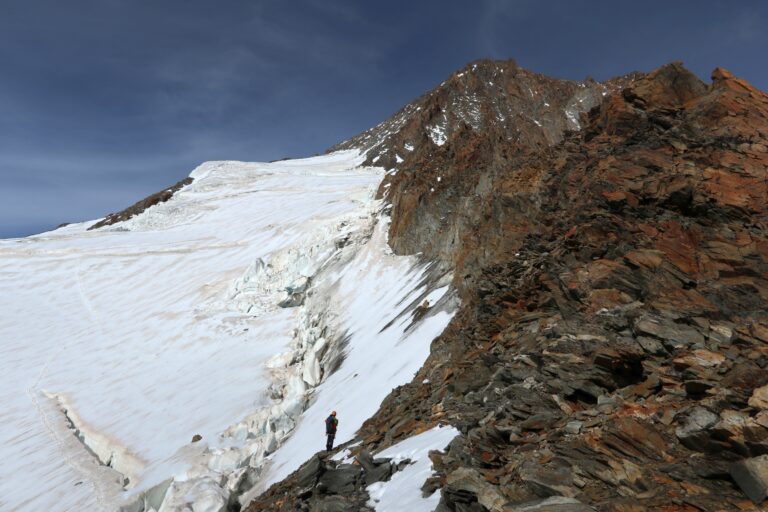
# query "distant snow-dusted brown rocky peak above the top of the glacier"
(495, 99)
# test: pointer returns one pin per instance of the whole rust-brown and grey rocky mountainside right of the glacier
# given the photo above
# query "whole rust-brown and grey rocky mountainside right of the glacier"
(612, 345)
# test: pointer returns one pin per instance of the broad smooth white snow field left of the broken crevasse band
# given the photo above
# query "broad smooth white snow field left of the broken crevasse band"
(133, 330)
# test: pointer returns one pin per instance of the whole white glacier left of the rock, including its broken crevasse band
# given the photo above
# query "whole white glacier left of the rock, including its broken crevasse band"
(118, 345)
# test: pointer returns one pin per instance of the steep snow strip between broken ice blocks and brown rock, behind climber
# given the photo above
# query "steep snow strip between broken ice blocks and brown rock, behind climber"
(374, 296)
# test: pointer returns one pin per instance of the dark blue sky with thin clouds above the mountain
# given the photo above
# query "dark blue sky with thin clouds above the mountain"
(103, 102)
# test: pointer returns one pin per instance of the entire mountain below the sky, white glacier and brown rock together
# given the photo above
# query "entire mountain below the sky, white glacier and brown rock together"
(519, 292)
